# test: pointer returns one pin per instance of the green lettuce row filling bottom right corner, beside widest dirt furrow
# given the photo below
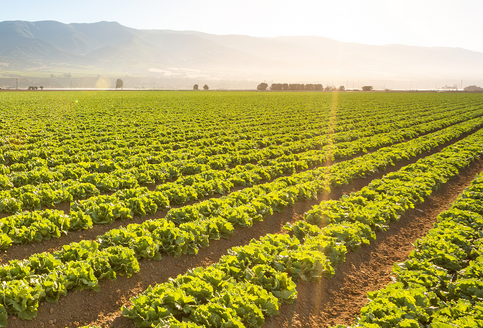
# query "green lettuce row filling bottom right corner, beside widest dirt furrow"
(440, 285)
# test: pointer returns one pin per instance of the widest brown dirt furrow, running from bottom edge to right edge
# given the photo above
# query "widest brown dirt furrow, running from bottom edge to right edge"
(338, 300)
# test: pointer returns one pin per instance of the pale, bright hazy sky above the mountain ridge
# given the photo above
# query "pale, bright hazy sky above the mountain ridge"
(424, 22)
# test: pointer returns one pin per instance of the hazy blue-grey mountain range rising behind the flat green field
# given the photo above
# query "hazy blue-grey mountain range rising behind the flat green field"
(191, 54)
